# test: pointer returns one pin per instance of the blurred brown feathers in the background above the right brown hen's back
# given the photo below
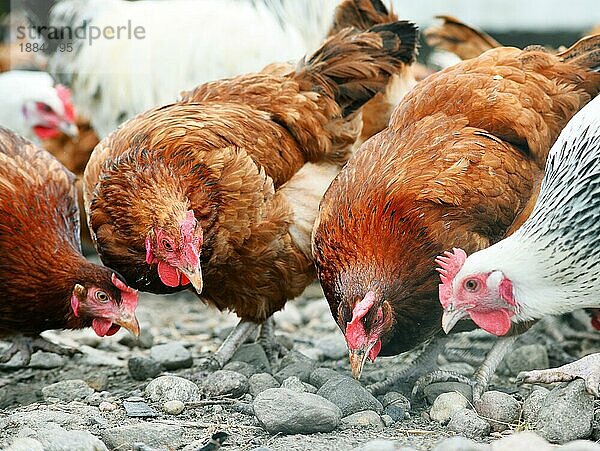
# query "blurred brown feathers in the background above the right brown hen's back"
(454, 36)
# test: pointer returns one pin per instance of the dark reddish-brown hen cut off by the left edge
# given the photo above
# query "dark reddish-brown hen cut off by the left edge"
(45, 281)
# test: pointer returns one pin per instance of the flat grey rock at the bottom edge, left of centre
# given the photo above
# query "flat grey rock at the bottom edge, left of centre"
(151, 434)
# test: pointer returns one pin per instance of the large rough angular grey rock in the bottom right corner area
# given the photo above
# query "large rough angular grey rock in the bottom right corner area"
(567, 413)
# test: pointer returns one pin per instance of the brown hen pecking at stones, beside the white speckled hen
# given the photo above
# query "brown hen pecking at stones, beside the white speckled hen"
(459, 160)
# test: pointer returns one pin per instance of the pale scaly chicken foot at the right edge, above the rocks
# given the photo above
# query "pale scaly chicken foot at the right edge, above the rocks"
(586, 368)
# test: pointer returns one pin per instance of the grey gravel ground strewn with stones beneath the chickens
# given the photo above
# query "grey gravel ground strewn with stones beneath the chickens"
(157, 393)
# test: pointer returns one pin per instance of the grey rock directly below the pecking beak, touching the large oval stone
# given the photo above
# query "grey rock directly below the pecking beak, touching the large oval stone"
(349, 396)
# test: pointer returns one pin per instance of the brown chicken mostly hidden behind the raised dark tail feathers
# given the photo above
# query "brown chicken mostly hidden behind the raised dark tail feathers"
(363, 14)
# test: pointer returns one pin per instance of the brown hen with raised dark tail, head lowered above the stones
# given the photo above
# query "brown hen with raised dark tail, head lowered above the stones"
(221, 189)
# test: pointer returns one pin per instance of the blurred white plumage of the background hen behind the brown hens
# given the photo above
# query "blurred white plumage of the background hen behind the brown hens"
(187, 42)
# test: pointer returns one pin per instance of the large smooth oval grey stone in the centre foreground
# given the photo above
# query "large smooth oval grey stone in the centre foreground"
(285, 411)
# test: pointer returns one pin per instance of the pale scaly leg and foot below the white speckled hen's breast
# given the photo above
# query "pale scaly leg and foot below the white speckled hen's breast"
(481, 379)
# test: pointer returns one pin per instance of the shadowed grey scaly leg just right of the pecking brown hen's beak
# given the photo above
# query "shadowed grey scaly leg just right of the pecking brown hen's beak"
(424, 363)
